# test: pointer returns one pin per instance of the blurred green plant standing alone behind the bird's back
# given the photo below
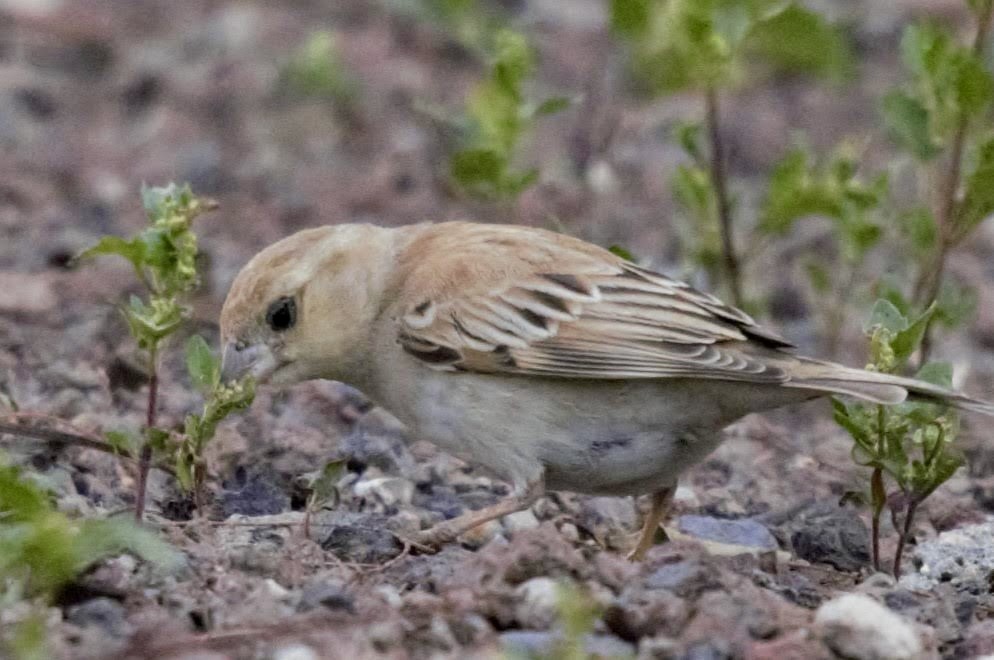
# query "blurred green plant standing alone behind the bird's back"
(497, 116)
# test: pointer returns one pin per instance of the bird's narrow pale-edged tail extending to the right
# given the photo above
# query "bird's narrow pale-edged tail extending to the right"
(877, 387)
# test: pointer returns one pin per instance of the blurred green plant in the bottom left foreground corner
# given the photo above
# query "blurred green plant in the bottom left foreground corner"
(42, 551)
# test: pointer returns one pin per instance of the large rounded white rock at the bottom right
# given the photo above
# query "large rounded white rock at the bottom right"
(856, 626)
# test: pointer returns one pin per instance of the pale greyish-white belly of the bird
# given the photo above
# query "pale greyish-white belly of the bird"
(599, 437)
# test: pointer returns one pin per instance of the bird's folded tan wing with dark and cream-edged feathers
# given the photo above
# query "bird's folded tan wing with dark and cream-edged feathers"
(516, 301)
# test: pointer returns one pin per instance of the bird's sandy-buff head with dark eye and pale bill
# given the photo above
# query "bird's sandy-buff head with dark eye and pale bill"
(302, 307)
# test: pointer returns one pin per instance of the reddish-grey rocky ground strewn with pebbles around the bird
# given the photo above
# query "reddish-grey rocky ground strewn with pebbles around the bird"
(765, 563)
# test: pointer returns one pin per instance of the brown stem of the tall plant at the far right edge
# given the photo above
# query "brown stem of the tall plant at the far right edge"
(930, 279)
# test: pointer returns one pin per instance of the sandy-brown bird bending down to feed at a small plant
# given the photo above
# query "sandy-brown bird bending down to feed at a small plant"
(548, 361)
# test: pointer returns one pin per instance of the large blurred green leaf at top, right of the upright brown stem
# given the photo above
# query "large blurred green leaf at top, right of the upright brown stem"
(797, 39)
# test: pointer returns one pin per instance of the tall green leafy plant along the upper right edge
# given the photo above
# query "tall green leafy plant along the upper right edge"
(940, 116)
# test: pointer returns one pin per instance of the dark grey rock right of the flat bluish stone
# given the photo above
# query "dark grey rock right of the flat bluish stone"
(832, 535)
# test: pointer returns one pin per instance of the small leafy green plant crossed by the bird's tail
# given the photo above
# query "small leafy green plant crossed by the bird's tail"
(909, 446)
